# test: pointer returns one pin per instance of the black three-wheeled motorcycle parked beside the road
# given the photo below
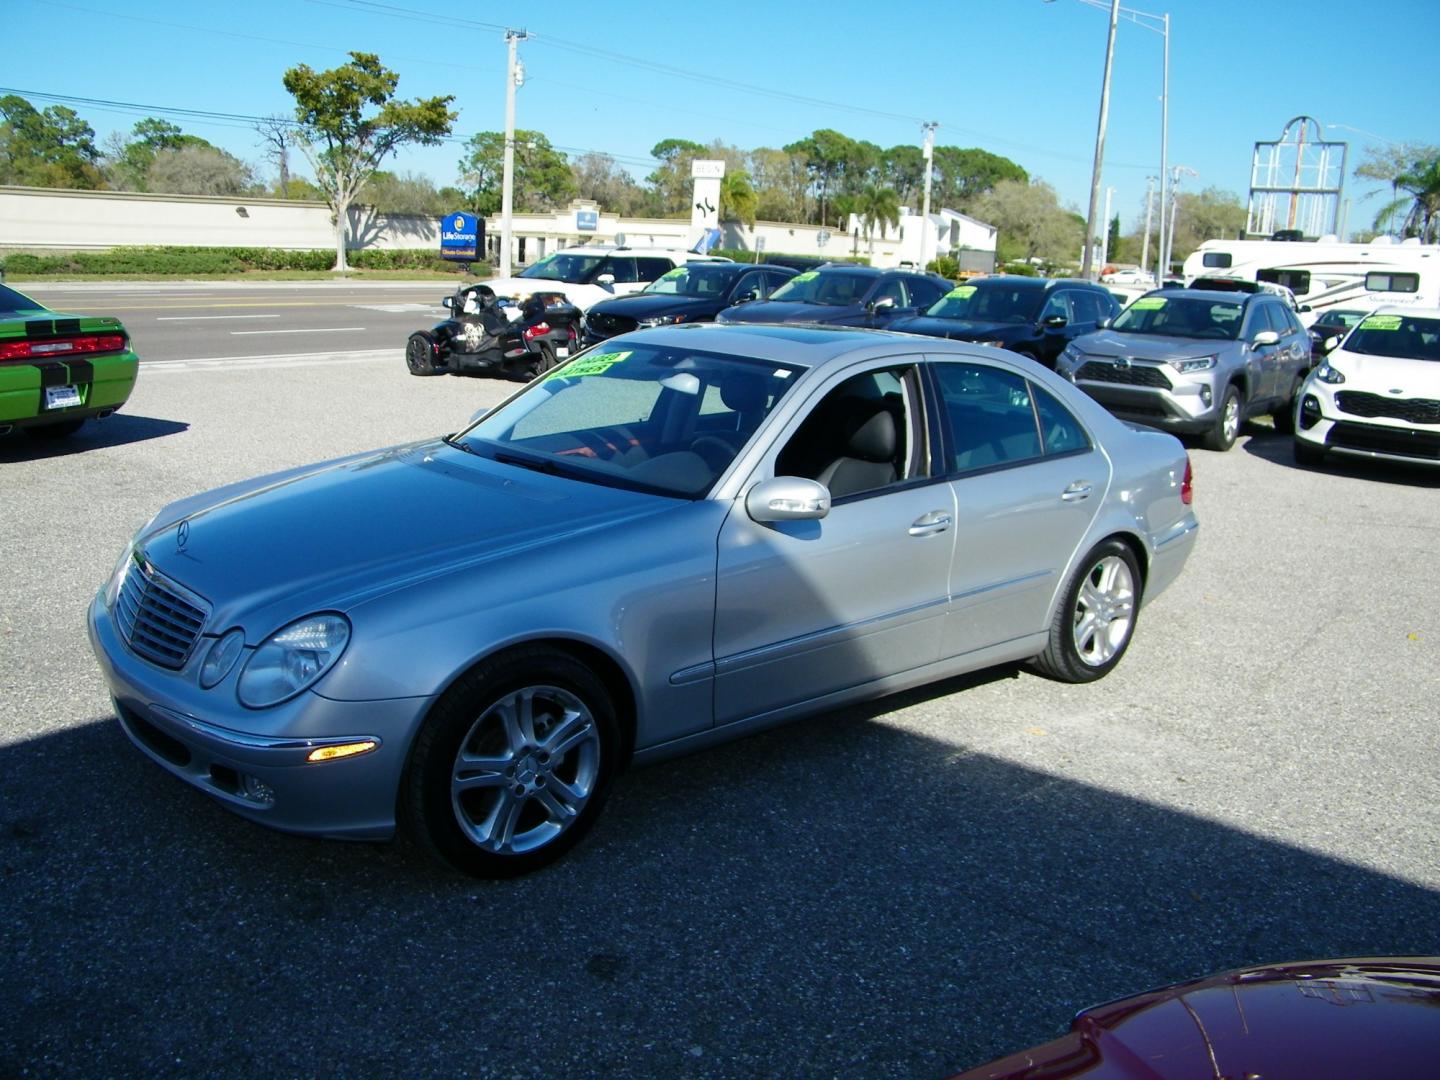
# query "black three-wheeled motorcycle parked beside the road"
(485, 336)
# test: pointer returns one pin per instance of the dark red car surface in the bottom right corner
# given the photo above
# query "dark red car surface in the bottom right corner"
(1364, 1017)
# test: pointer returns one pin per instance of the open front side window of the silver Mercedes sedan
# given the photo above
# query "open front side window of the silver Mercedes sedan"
(859, 437)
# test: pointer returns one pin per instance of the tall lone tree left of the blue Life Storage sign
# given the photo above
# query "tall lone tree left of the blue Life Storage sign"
(349, 123)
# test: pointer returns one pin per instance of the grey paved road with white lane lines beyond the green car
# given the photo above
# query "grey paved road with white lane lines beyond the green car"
(243, 320)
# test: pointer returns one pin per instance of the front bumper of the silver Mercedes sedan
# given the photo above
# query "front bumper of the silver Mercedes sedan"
(254, 762)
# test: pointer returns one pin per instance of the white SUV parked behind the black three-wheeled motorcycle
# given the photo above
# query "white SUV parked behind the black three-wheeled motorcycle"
(590, 274)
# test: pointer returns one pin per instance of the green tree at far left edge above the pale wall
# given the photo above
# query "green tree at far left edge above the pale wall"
(51, 149)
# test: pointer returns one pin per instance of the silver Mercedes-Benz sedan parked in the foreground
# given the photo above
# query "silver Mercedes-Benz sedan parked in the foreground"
(682, 536)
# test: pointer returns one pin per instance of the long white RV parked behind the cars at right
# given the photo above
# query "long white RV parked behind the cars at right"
(1326, 274)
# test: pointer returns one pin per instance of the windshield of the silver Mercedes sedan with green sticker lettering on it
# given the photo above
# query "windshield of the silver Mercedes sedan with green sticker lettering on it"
(649, 418)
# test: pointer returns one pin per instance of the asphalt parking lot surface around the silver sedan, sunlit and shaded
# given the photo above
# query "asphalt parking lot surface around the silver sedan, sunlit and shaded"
(899, 891)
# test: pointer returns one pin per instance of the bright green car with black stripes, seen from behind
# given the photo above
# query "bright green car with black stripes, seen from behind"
(58, 371)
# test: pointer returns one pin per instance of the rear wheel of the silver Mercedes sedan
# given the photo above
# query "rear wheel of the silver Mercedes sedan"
(1097, 621)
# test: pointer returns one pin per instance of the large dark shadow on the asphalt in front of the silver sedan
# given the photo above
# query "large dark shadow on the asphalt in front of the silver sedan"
(836, 898)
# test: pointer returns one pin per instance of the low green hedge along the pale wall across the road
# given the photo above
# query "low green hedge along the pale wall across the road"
(176, 261)
